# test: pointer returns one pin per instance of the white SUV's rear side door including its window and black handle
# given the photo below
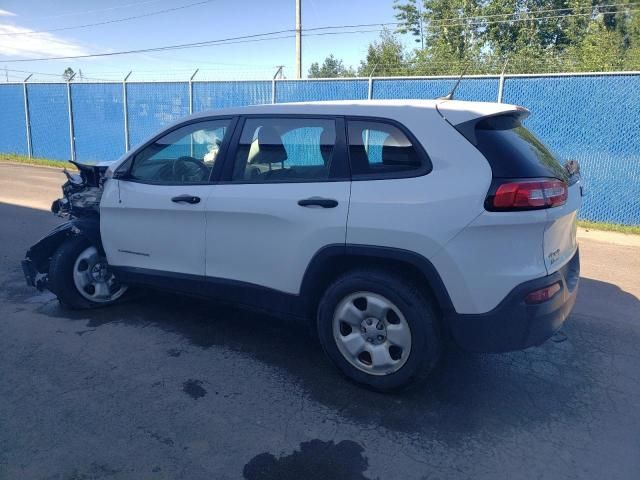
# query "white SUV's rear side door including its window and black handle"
(284, 195)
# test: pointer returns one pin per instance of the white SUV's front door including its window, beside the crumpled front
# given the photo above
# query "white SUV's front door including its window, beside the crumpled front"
(153, 216)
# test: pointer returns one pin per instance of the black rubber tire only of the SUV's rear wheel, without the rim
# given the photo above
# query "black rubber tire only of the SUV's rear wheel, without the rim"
(426, 342)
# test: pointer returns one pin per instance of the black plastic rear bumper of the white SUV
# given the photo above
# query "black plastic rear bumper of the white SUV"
(515, 325)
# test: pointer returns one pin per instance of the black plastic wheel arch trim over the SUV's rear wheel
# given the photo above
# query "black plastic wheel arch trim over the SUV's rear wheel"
(334, 260)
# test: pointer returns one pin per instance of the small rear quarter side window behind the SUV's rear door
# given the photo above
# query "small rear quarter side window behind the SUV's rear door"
(376, 147)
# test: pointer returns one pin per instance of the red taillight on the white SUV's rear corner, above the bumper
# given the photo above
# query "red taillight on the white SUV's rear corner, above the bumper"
(529, 194)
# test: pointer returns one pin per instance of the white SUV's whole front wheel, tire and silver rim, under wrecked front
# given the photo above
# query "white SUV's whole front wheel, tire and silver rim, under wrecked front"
(80, 276)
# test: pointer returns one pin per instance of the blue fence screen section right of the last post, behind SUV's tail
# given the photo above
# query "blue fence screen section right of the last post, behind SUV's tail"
(595, 120)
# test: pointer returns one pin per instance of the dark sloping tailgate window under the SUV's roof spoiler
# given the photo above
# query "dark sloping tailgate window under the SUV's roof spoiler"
(513, 151)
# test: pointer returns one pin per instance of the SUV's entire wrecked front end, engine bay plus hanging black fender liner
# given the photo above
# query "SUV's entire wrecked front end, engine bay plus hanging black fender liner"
(80, 206)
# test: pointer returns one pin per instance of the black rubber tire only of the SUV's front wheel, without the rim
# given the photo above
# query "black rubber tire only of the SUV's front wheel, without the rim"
(60, 281)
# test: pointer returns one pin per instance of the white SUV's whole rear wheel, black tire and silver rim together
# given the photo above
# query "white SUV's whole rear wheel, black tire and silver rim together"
(378, 329)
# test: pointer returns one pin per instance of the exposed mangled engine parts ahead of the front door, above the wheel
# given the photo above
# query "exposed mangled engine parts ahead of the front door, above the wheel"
(81, 192)
